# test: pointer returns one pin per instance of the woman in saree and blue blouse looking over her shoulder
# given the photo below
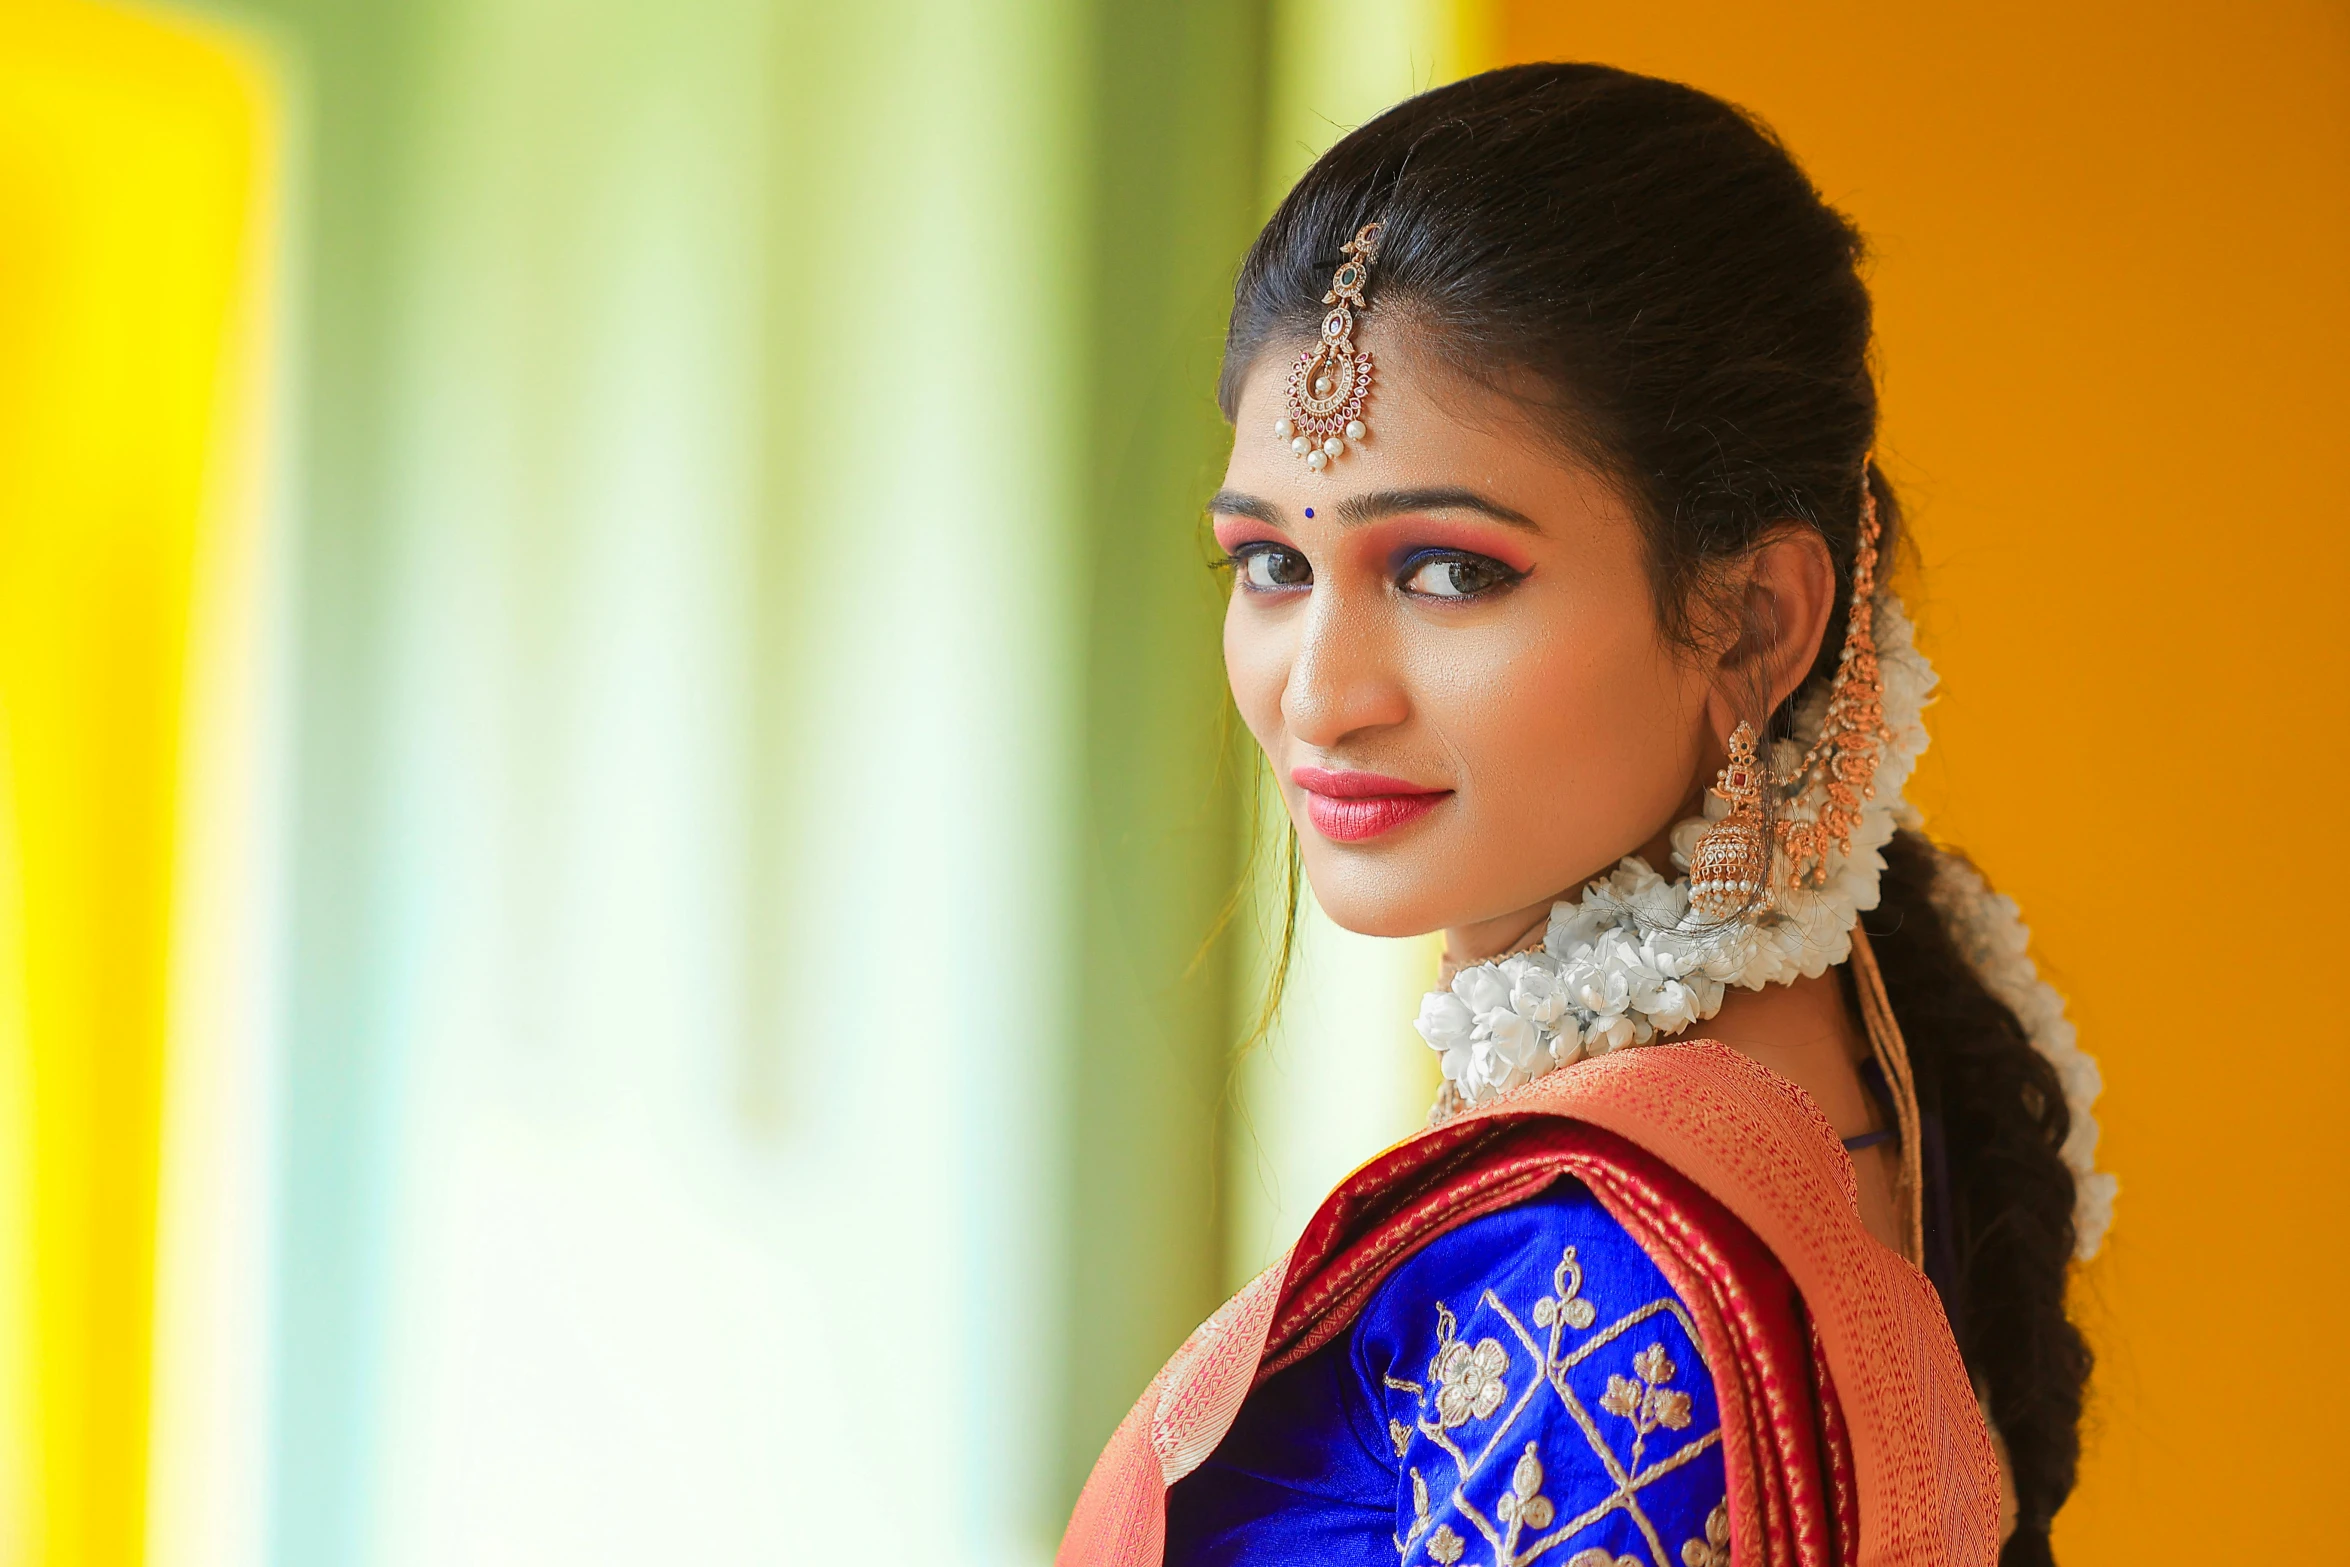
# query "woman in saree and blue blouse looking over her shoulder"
(1743, 1225)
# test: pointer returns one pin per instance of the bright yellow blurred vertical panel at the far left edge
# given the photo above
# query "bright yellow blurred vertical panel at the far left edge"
(126, 210)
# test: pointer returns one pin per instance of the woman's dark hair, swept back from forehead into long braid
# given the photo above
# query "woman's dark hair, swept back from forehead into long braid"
(1660, 283)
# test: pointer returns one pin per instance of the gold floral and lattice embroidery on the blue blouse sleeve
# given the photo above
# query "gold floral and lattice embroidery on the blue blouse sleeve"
(1470, 1385)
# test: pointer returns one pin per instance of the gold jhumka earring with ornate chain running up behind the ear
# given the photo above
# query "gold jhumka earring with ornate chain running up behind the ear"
(1731, 870)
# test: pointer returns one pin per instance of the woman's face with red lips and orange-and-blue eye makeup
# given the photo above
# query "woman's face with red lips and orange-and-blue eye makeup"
(1449, 652)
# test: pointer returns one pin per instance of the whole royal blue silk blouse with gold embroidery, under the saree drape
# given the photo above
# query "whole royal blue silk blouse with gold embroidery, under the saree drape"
(1522, 1390)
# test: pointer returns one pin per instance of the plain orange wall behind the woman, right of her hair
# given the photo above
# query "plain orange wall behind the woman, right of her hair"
(2111, 255)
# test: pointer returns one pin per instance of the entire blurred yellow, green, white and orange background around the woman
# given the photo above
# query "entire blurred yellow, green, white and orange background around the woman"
(615, 781)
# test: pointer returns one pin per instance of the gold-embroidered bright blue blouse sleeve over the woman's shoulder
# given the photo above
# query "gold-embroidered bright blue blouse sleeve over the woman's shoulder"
(1543, 1387)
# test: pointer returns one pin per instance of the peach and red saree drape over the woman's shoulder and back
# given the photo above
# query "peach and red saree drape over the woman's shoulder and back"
(1846, 1423)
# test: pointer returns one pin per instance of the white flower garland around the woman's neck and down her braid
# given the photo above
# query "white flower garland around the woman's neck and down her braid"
(1632, 962)
